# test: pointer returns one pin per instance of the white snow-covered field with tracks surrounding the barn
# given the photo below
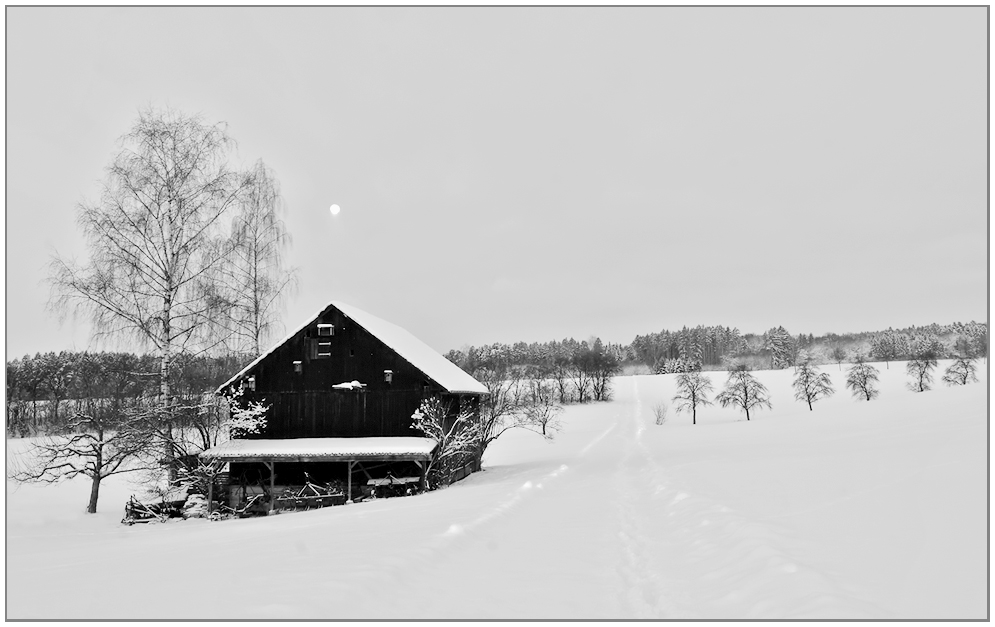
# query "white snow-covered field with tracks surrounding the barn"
(855, 510)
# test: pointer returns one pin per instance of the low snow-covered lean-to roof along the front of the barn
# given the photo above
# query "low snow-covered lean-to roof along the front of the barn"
(323, 449)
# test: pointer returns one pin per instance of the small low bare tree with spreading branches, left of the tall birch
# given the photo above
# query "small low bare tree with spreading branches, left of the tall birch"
(90, 446)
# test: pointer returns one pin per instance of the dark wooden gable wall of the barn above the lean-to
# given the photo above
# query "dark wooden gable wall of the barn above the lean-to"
(305, 405)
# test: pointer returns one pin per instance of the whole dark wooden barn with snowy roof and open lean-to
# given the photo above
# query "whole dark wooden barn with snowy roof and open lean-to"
(341, 390)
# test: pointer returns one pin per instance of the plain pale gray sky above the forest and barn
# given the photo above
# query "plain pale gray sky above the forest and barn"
(530, 174)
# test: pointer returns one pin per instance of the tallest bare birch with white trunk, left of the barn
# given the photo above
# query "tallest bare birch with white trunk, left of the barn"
(153, 240)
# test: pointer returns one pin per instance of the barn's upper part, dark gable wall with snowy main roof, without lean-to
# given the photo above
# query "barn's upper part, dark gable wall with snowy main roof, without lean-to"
(339, 345)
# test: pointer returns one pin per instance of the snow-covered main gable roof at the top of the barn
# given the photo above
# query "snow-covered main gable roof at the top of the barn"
(417, 353)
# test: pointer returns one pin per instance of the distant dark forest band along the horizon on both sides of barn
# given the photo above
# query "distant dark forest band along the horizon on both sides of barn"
(42, 390)
